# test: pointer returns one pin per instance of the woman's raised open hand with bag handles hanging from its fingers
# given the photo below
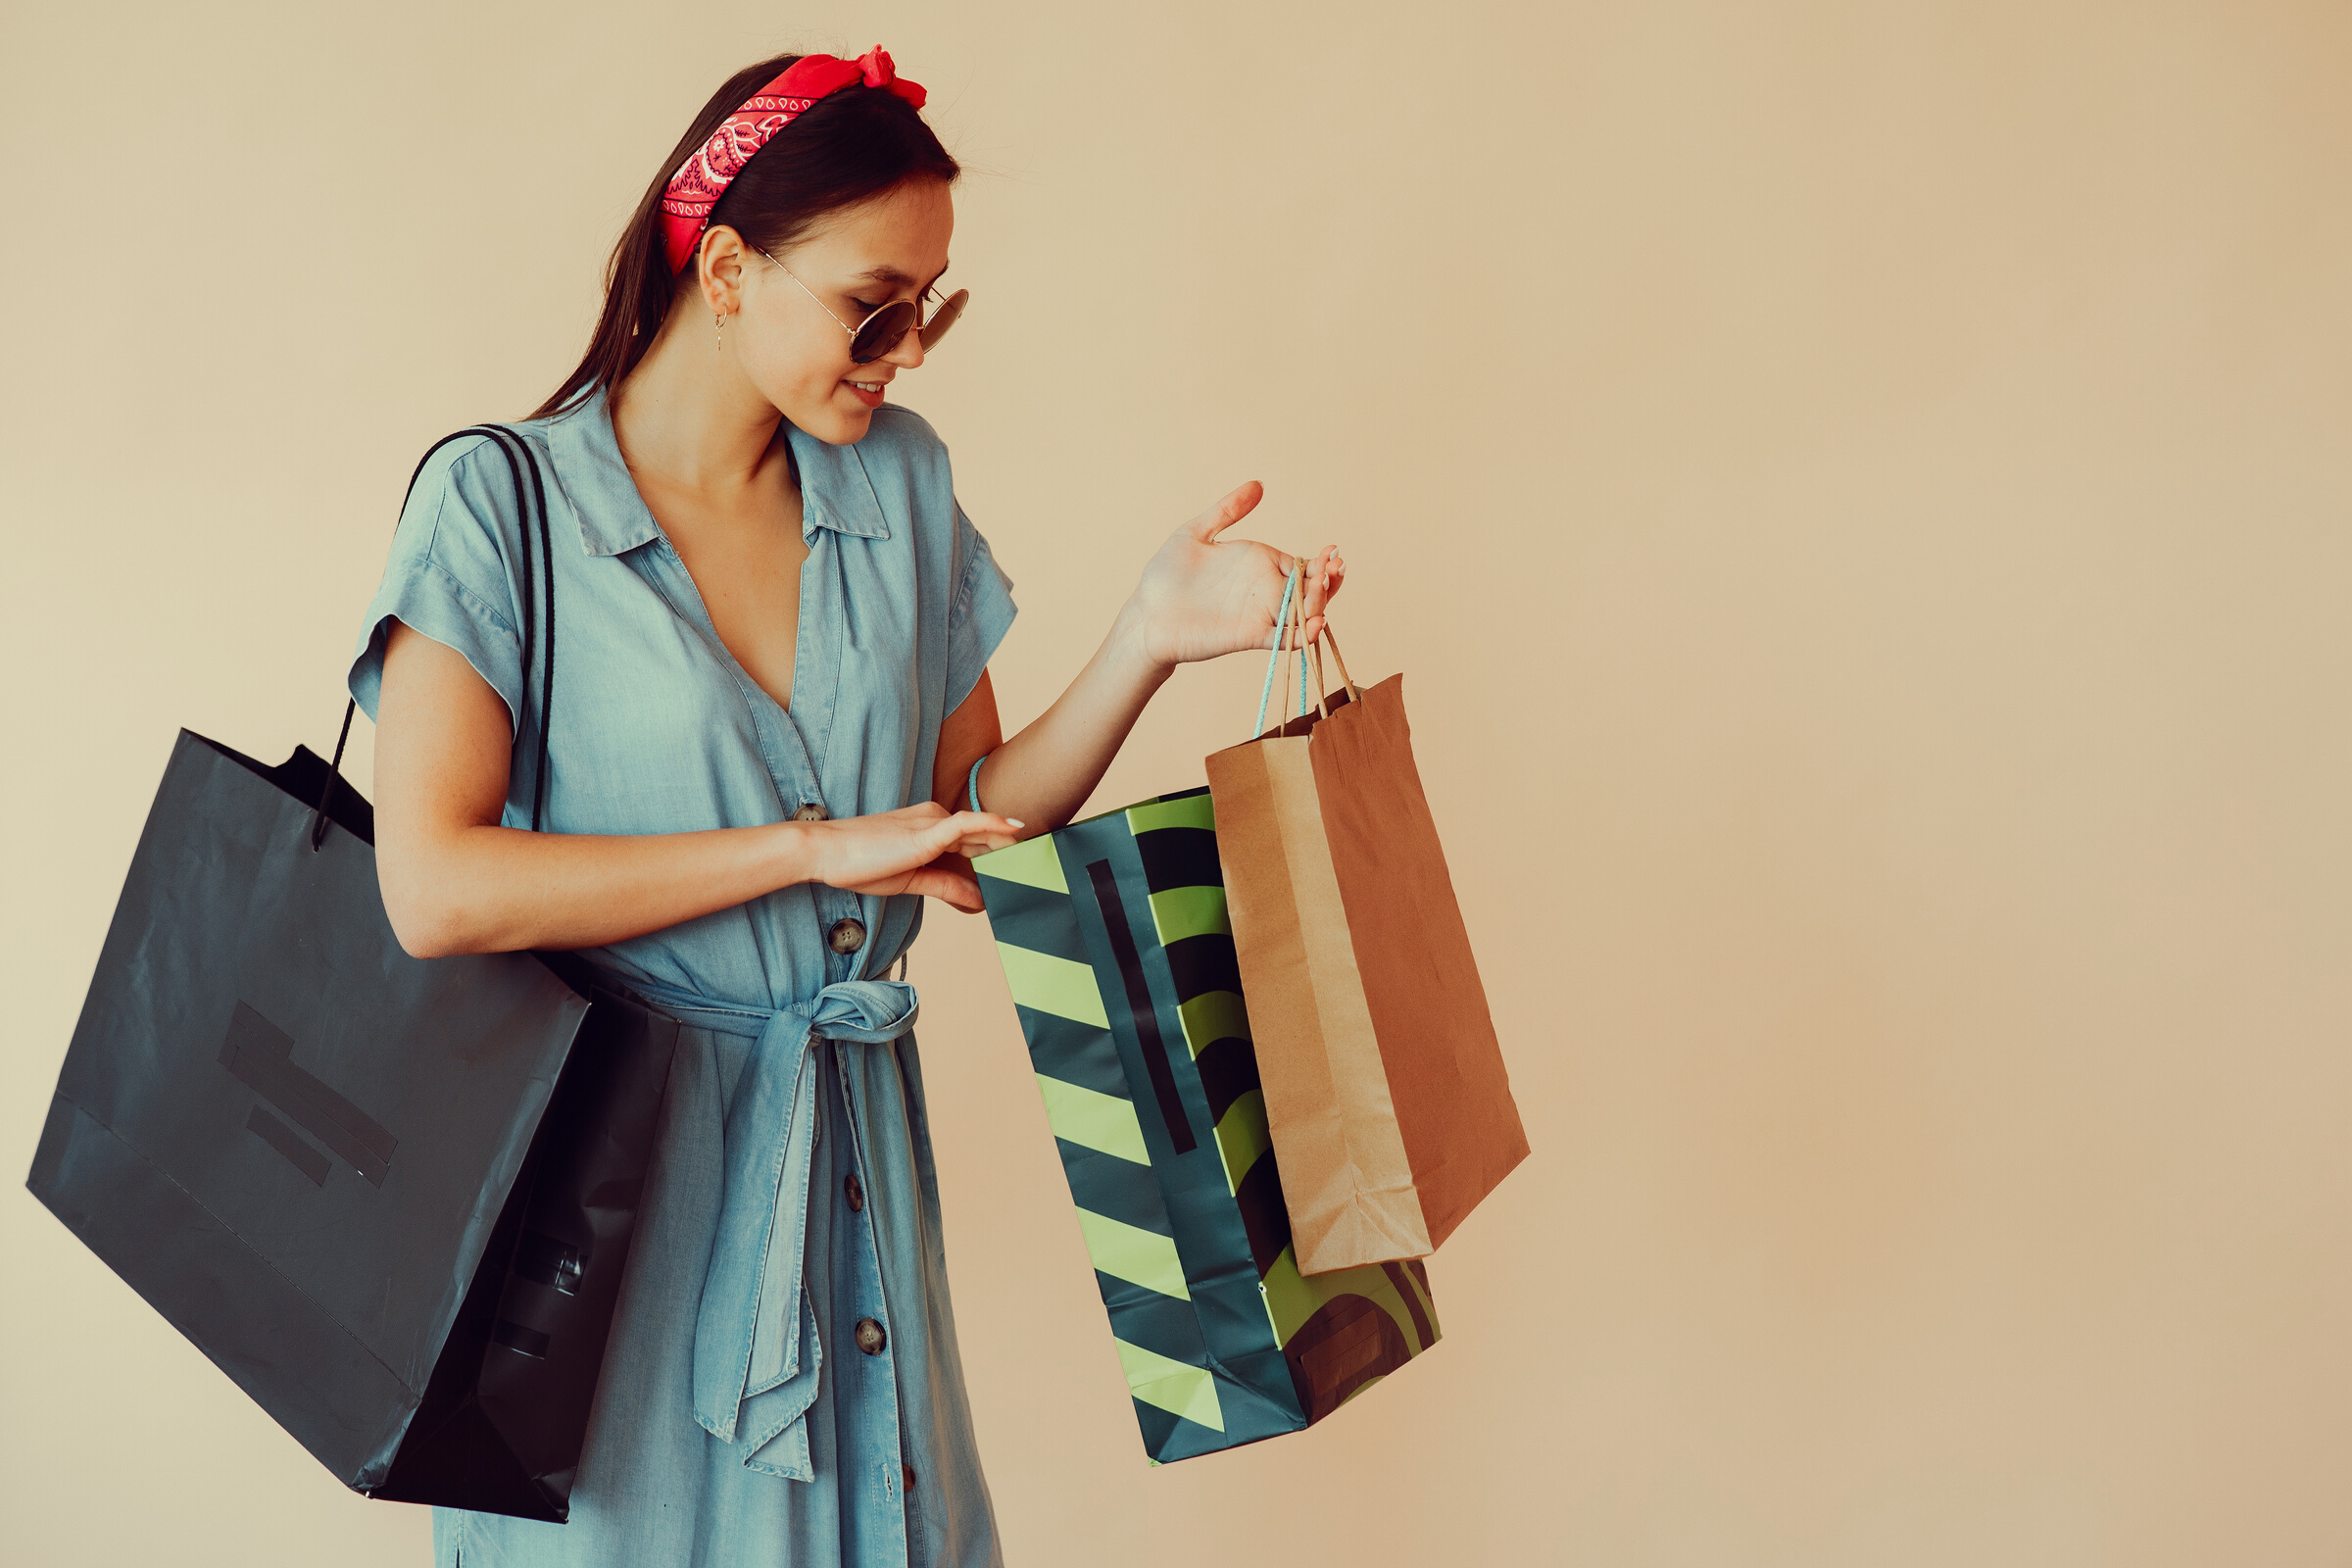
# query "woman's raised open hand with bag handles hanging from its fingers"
(1208, 596)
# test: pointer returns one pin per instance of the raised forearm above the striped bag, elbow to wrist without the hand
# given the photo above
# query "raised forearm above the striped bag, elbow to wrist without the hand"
(1048, 772)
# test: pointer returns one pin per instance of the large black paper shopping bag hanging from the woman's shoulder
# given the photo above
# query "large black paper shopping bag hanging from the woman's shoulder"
(389, 1198)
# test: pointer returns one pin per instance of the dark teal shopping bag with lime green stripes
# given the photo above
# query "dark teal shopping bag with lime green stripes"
(1121, 965)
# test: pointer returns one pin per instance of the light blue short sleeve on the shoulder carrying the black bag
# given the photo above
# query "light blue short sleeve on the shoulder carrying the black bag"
(448, 577)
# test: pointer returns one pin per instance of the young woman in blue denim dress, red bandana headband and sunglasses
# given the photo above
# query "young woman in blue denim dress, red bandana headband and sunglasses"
(770, 739)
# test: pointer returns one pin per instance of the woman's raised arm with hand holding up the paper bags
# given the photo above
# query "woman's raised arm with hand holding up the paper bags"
(1198, 598)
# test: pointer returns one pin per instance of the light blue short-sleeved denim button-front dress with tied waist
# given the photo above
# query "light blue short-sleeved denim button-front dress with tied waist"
(782, 1386)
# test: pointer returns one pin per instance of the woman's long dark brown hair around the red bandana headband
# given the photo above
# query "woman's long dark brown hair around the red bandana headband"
(846, 149)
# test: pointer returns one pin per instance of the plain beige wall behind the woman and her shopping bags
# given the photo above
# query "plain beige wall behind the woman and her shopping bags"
(1862, 497)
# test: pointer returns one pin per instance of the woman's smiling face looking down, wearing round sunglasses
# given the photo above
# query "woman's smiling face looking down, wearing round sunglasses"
(796, 349)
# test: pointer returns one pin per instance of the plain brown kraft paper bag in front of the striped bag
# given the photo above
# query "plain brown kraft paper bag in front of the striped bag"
(1382, 1073)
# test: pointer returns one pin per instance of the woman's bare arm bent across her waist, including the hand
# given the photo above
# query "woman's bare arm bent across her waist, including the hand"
(460, 883)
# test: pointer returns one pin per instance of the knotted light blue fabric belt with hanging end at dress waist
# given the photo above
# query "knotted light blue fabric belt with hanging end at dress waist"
(756, 1351)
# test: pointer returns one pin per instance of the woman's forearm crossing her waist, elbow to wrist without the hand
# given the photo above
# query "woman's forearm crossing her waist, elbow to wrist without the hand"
(502, 890)
